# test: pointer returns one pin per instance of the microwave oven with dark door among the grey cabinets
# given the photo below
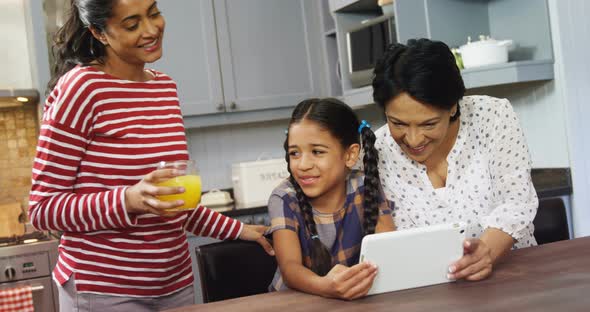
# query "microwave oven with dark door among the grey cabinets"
(366, 43)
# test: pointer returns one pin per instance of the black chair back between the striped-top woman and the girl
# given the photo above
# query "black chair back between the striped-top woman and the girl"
(233, 269)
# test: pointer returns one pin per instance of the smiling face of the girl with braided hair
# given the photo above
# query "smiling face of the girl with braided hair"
(318, 161)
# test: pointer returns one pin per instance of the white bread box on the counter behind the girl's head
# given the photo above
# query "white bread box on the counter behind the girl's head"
(254, 181)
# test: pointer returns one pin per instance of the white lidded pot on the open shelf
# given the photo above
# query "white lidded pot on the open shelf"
(486, 51)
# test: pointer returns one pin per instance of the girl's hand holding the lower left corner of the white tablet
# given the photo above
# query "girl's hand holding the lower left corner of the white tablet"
(350, 283)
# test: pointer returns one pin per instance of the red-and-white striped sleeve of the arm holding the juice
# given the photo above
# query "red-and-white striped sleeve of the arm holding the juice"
(53, 203)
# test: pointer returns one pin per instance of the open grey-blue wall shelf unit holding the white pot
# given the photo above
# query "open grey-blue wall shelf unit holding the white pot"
(526, 23)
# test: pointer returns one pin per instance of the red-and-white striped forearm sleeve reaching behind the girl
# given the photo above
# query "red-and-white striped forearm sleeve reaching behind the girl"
(206, 222)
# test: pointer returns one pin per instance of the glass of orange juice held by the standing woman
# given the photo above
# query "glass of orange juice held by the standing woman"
(190, 180)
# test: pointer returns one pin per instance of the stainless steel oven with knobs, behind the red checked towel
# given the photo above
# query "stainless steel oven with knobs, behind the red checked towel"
(29, 260)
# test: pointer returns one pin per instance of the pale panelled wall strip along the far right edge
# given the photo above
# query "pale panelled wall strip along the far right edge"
(571, 30)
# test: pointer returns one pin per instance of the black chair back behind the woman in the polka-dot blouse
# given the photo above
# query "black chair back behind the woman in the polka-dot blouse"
(551, 221)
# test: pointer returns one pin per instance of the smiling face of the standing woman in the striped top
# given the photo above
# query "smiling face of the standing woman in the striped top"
(134, 32)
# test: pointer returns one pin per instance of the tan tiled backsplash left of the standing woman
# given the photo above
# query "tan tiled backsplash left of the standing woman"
(18, 139)
